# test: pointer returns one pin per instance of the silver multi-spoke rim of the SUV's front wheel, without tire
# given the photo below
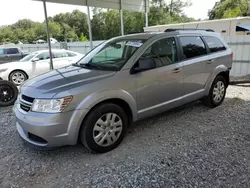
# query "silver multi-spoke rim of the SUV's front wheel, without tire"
(107, 129)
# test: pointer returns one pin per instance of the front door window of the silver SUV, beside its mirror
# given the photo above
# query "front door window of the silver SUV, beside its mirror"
(164, 52)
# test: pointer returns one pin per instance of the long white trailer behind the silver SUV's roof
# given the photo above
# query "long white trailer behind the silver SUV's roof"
(227, 27)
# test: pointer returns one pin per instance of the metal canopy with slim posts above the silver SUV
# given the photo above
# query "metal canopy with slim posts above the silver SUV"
(131, 5)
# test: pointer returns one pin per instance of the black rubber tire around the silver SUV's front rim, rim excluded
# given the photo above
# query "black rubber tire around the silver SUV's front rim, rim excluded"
(87, 134)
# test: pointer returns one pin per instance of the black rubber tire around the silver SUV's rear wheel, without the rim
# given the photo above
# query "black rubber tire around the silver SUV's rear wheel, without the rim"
(209, 100)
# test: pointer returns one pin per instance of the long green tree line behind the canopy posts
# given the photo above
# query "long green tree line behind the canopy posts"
(105, 24)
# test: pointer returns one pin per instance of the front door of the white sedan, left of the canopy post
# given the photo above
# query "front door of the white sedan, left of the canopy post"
(42, 65)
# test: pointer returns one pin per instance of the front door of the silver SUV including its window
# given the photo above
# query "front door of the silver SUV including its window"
(160, 88)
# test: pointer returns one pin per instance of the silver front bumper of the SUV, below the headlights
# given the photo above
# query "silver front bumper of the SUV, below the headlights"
(49, 130)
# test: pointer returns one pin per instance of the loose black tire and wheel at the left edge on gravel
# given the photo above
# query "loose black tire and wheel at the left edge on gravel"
(8, 93)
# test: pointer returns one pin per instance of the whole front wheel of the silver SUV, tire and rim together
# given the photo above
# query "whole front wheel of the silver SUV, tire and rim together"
(104, 128)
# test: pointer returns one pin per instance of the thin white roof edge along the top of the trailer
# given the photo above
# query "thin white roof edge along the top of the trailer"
(200, 22)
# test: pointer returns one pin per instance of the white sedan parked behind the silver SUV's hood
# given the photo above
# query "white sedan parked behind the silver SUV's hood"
(35, 64)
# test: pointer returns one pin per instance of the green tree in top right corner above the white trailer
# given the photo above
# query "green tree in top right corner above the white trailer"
(230, 9)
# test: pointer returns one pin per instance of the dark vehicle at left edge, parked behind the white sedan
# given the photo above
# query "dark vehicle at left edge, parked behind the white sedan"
(10, 54)
